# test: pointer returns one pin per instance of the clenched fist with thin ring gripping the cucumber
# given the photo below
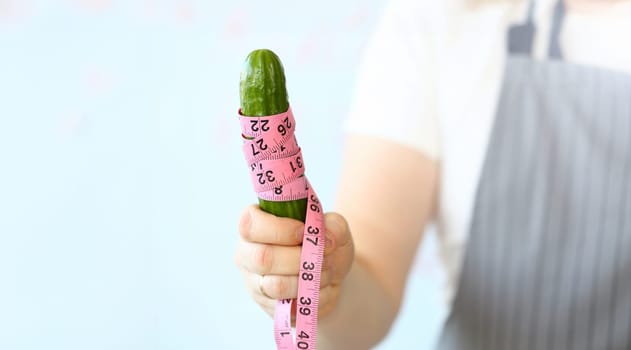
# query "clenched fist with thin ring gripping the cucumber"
(268, 255)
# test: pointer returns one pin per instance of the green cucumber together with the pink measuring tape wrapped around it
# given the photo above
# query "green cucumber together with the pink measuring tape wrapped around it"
(277, 171)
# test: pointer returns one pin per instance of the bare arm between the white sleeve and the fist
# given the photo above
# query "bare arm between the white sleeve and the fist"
(387, 196)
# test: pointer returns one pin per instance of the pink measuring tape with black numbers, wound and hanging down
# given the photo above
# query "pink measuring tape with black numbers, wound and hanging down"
(277, 171)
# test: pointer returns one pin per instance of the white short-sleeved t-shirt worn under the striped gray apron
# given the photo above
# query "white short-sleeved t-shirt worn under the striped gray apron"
(431, 77)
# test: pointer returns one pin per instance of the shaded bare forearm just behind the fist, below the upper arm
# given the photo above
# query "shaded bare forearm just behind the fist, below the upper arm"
(362, 315)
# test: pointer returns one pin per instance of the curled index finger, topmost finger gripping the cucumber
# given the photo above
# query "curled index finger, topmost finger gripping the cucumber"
(261, 227)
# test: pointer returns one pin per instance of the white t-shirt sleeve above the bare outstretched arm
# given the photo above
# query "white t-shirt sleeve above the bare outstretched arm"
(395, 94)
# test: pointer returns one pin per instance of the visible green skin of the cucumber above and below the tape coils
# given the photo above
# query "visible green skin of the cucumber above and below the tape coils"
(263, 92)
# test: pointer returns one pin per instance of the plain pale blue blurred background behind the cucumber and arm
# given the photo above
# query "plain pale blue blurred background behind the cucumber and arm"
(121, 177)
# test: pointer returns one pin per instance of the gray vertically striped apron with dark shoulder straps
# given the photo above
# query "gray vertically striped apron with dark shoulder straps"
(548, 261)
